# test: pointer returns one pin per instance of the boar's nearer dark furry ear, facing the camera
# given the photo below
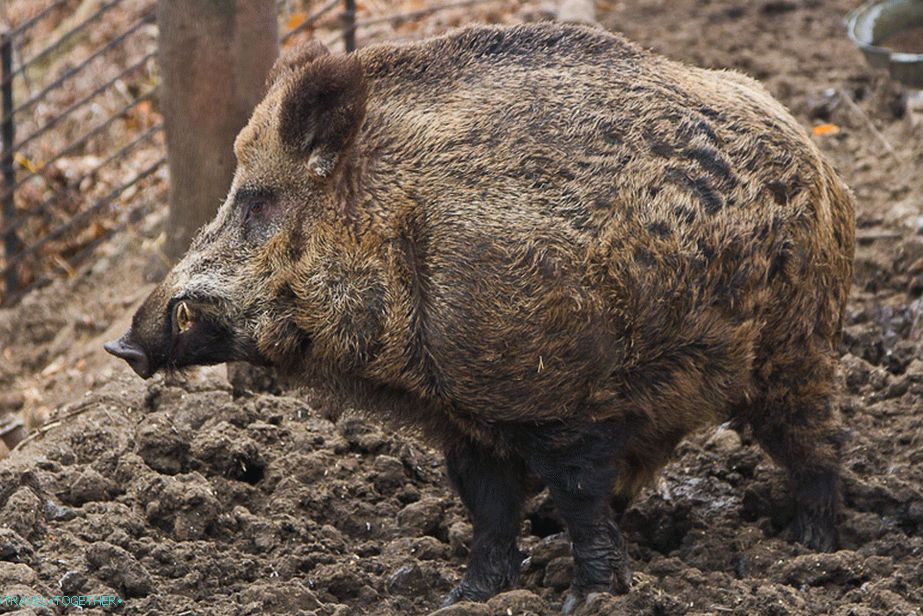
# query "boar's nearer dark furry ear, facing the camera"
(322, 109)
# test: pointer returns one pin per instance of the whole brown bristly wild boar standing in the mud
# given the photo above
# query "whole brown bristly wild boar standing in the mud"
(550, 251)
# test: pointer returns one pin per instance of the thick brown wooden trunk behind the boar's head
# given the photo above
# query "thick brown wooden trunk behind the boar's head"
(214, 56)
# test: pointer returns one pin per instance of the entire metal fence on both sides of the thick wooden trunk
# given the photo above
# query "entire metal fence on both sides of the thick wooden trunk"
(17, 161)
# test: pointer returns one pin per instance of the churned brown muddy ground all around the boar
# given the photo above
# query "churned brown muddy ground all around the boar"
(190, 498)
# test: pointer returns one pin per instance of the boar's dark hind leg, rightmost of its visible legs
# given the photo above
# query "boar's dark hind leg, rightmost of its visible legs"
(798, 427)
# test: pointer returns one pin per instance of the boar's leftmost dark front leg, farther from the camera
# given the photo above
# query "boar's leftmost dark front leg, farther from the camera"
(493, 490)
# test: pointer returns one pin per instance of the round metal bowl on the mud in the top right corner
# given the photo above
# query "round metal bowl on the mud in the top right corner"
(875, 22)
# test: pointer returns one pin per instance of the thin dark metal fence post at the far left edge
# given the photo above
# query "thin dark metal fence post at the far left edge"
(8, 135)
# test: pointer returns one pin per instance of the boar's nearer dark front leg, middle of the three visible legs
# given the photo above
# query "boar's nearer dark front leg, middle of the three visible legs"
(581, 475)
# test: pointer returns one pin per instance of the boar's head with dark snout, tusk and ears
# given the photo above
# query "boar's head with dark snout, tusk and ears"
(281, 271)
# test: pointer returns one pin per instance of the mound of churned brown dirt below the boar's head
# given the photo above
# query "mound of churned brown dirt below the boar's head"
(182, 498)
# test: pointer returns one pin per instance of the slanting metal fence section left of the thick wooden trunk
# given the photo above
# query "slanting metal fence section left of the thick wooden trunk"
(21, 170)
